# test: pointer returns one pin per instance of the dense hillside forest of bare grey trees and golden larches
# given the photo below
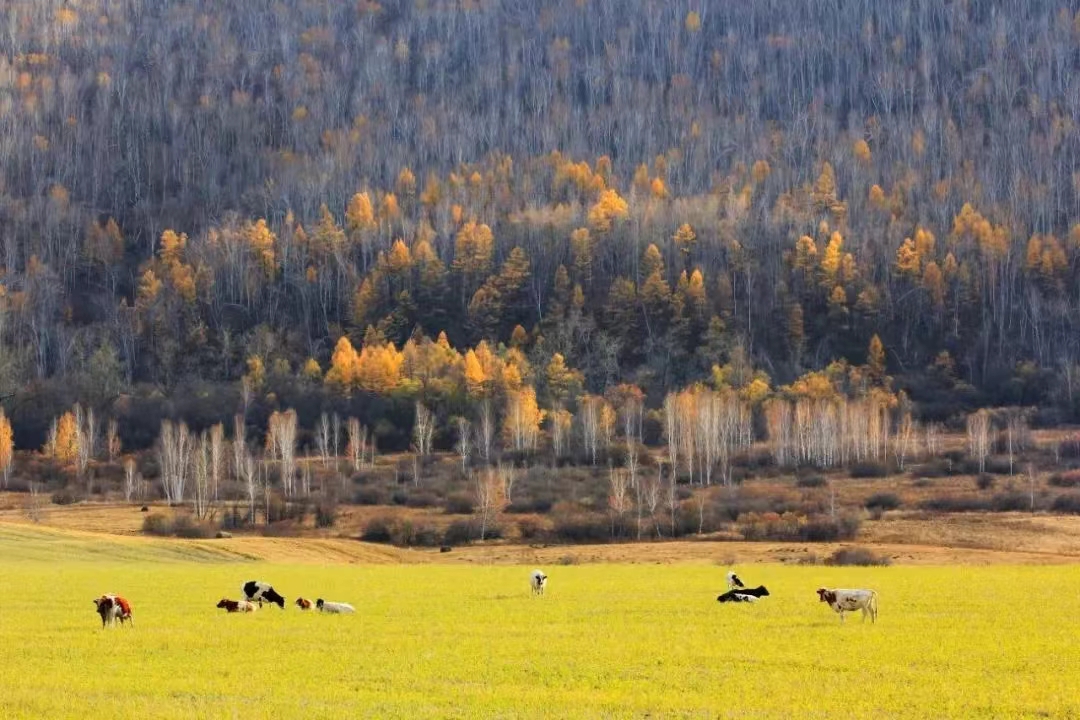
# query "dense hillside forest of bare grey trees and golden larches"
(514, 209)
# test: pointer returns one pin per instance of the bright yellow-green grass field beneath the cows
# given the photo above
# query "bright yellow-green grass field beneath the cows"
(469, 642)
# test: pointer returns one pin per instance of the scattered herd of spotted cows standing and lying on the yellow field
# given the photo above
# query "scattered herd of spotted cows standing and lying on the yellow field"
(115, 609)
